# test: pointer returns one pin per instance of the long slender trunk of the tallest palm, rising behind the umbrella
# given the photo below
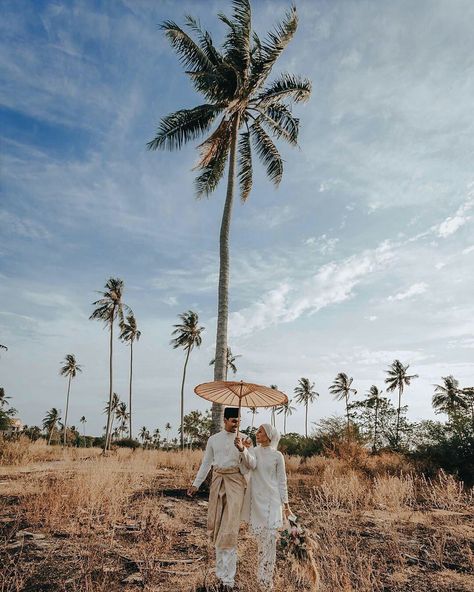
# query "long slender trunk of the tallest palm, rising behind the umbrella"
(224, 274)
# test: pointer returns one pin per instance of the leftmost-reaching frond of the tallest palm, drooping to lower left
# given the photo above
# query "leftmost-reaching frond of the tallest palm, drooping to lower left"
(182, 126)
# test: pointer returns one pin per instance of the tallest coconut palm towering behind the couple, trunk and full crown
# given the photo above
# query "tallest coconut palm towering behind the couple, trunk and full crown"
(248, 111)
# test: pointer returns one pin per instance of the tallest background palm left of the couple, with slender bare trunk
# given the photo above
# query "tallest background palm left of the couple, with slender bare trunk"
(108, 309)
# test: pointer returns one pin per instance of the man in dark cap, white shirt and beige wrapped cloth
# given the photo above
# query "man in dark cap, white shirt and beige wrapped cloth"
(230, 461)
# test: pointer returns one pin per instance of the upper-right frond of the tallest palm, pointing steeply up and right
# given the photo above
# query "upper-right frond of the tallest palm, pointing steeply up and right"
(271, 49)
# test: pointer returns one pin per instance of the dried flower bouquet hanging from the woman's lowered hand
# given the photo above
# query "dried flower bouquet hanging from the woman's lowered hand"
(298, 547)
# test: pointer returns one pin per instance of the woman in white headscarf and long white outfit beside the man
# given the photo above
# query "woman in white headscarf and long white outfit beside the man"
(267, 495)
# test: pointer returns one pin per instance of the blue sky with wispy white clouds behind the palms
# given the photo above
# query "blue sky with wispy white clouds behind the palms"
(363, 255)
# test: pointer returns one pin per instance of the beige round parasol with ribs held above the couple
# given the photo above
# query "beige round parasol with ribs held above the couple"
(240, 394)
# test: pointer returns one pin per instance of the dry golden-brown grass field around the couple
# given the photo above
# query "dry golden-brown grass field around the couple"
(74, 520)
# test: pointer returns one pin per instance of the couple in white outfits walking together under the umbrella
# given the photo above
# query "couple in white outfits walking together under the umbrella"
(247, 484)
